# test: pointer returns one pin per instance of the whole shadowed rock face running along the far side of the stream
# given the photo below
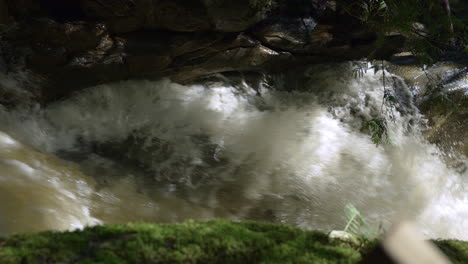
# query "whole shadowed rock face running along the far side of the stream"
(88, 42)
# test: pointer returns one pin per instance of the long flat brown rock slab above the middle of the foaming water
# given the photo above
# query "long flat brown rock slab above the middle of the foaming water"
(183, 57)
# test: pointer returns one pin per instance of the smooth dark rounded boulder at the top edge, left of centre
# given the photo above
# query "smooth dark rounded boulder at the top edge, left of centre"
(178, 15)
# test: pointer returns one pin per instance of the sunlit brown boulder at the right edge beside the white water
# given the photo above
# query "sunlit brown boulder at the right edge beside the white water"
(444, 102)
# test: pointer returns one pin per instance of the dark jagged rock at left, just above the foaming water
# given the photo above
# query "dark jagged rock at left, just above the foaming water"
(64, 71)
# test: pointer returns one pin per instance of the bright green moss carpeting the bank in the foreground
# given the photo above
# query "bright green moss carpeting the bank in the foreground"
(217, 241)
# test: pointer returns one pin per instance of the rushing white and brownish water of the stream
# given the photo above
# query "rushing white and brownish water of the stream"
(163, 152)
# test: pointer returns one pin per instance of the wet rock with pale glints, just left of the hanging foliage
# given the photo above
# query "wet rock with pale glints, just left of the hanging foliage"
(305, 35)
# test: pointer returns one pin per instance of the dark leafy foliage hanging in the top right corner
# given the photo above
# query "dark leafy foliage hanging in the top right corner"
(431, 31)
